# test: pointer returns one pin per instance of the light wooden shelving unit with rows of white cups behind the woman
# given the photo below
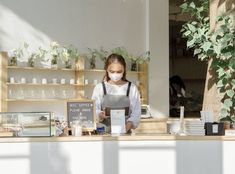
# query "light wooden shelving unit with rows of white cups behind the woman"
(78, 90)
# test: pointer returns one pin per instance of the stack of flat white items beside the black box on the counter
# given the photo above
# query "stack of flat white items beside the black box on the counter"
(194, 127)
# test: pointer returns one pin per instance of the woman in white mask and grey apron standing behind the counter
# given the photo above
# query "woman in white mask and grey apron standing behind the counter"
(117, 92)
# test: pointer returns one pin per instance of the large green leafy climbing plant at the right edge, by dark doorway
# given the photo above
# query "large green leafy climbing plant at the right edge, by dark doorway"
(217, 45)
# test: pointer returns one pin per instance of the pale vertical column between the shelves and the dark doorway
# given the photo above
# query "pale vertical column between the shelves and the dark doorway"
(157, 39)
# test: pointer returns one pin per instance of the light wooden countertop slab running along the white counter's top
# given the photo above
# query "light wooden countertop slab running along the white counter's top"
(136, 137)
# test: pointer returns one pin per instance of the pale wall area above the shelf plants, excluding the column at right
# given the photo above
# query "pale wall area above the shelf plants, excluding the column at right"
(89, 23)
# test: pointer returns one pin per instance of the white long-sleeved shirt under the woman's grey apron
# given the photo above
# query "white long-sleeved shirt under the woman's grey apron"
(134, 96)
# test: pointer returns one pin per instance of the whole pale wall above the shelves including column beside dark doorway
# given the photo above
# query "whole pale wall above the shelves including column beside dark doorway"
(92, 23)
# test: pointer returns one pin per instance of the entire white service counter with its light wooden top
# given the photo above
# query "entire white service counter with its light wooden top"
(137, 154)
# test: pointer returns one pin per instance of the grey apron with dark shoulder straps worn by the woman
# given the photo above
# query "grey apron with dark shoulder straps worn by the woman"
(115, 102)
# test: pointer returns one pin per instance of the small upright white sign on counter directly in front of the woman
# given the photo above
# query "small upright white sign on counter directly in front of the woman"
(118, 125)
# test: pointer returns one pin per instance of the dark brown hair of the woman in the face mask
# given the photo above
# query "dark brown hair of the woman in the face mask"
(113, 58)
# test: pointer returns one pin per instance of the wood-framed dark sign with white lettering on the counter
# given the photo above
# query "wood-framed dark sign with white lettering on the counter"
(83, 111)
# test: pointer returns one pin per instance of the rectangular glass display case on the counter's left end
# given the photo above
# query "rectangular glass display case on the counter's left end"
(26, 124)
